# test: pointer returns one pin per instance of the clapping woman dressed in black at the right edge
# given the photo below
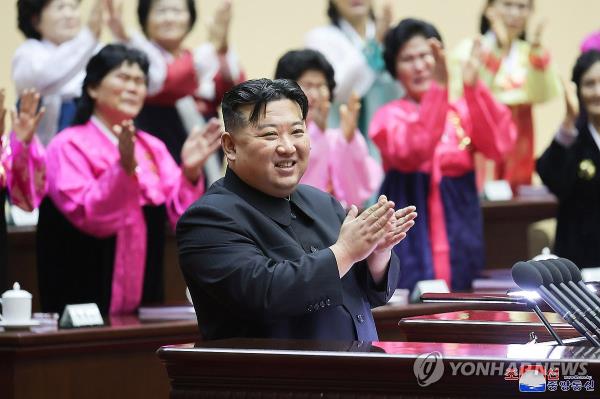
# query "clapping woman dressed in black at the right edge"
(570, 166)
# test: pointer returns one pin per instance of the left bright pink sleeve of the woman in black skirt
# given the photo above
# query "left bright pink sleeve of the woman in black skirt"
(99, 205)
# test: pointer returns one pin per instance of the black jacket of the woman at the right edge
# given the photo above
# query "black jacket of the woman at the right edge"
(578, 219)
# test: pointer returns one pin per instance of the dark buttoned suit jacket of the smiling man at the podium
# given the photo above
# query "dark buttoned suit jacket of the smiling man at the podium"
(251, 275)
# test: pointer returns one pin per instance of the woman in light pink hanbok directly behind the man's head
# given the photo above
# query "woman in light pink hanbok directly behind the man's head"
(339, 157)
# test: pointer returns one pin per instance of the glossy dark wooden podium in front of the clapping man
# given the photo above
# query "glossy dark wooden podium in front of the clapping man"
(296, 369)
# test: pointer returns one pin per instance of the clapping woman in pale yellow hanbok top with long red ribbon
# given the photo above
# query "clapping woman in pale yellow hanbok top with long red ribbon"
(519, 74)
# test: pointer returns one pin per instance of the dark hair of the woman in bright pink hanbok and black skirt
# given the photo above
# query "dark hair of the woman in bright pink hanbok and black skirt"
(106, 60)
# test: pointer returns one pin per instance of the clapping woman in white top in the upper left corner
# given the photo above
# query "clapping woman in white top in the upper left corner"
(52, 60)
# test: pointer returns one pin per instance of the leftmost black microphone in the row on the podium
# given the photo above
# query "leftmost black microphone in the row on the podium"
(528, 277)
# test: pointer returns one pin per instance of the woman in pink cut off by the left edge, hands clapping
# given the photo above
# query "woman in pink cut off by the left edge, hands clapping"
(21, 165)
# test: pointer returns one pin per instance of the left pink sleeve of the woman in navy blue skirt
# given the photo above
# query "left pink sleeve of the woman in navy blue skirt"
(407, 136)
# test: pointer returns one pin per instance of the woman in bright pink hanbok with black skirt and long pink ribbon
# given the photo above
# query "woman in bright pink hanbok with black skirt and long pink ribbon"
(110, 189)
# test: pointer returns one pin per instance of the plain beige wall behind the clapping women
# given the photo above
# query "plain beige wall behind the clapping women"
(263, 29)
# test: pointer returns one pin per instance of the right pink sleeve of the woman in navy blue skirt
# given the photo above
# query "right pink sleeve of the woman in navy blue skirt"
(493, 131)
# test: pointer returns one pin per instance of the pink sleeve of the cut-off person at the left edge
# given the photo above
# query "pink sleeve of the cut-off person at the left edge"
(27, 173)
